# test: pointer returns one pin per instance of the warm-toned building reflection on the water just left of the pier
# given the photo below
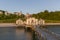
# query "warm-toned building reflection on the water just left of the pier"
(23, 35)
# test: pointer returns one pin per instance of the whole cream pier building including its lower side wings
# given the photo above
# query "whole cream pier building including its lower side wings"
(31, 21)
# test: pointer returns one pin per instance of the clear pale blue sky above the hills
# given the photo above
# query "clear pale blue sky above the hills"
(29, 6)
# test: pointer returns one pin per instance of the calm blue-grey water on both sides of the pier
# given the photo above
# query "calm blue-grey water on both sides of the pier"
(11, 33)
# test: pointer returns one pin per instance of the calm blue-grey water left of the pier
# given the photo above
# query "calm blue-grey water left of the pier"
(11, 33)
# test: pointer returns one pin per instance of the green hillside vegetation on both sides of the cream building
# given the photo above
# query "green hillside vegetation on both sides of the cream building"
(46, 15)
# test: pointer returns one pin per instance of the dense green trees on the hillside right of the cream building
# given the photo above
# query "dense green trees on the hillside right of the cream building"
(47, 15)
